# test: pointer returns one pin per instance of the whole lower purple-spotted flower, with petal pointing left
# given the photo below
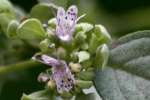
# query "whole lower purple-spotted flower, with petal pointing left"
(61, 73)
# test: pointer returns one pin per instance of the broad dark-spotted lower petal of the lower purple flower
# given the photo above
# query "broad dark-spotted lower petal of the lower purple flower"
(63, 78)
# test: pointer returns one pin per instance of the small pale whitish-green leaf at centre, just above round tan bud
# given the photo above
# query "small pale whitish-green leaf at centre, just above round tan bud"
(83, 56)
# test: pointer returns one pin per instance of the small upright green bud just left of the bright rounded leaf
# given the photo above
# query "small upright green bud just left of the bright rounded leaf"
(12, 28)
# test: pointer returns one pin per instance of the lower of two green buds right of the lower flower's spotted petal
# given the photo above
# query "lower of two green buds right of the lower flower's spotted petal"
(84, 84)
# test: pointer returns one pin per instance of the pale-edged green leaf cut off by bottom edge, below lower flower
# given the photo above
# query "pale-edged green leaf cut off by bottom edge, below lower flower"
(39, 95)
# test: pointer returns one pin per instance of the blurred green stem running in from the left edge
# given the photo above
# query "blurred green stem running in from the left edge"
(17, 67)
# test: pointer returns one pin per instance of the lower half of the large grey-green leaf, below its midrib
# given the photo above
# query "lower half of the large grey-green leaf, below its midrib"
(118, 85)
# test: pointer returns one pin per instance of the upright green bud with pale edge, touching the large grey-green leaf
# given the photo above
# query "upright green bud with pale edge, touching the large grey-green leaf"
(102, 54)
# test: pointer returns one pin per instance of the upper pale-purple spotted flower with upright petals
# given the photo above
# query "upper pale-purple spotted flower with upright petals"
(66, 22)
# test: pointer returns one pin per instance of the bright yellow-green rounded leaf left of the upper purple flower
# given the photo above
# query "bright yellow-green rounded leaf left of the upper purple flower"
(31, 29)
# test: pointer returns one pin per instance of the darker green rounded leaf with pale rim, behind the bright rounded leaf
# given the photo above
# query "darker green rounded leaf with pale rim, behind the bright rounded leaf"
(43, 11)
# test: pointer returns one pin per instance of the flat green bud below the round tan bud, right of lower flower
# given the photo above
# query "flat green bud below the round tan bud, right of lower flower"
(86, 75)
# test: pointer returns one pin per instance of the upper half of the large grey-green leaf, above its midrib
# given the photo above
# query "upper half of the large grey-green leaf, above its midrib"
(131, 53)
